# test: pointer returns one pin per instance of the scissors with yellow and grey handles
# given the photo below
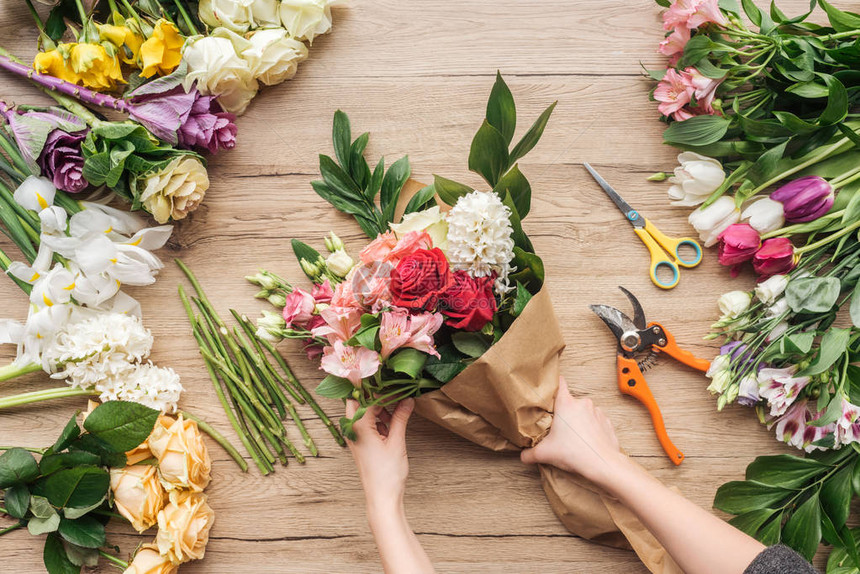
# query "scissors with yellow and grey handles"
(665, 251)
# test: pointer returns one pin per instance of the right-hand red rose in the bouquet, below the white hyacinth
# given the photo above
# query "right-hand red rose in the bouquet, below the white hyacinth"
(469, 303)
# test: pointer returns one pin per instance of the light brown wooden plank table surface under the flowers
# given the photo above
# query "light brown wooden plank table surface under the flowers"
(416, 75)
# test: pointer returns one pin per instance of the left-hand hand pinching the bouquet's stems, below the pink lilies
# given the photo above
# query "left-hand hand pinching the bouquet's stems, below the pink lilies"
(379, 452)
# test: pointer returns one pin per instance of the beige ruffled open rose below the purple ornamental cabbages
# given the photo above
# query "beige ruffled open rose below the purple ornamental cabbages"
(176, 190)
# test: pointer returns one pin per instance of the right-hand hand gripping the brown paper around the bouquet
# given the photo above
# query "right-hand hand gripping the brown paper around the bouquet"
(581, 439)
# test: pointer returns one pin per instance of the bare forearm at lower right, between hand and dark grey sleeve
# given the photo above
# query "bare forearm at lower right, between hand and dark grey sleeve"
(699, 542)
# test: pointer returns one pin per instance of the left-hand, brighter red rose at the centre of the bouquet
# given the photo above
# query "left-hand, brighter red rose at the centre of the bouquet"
(419, 279)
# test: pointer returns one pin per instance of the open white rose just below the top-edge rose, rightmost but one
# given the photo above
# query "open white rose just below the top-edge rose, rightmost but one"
(273, 56)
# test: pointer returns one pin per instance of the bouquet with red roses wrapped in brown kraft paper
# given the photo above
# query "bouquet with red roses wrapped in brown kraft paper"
(445, 303)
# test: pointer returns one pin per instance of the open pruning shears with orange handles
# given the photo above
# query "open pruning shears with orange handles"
(635, 338)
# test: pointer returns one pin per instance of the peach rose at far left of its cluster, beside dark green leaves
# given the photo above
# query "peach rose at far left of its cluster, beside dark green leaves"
(138, 494)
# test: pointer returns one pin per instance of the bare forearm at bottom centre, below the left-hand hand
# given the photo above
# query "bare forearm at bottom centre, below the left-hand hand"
(399, 548)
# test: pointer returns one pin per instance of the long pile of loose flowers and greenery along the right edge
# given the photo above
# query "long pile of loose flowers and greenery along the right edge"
(777, 105)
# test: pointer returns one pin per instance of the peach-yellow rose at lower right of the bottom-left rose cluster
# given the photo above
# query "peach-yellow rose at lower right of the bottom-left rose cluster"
(183, 527)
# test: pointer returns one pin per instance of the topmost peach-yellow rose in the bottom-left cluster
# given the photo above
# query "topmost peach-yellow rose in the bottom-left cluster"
(183, 461)
